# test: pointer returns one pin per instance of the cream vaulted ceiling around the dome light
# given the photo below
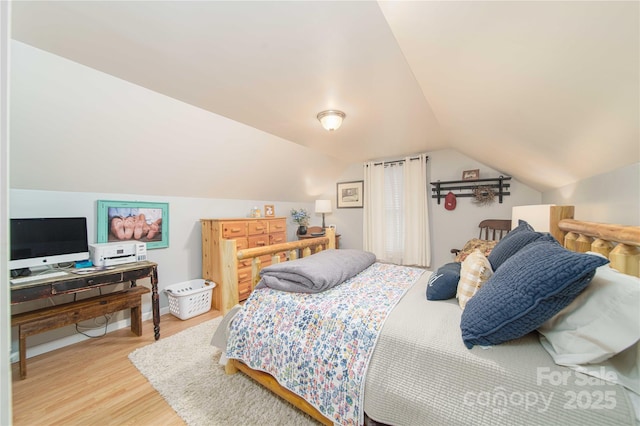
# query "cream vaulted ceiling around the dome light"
(547, 92)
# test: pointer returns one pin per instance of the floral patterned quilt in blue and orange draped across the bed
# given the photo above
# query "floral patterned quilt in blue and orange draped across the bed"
(319, 345)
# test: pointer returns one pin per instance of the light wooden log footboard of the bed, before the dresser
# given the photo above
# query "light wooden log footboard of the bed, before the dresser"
(231, 255)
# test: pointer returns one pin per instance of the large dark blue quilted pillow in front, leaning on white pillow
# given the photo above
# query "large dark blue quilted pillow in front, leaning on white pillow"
(529, 288)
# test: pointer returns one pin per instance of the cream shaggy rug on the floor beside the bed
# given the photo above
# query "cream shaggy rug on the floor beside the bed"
(184, 369)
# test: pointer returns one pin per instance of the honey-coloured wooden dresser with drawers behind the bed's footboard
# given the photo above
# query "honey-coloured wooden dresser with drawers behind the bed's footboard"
(248, 233)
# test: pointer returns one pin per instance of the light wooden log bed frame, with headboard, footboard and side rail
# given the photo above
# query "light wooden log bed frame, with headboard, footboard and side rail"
(620, 243)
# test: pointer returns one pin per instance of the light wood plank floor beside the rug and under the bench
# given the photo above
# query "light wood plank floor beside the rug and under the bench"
(94, 383)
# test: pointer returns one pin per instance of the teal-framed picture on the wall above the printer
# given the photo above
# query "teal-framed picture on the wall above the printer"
(135, 221)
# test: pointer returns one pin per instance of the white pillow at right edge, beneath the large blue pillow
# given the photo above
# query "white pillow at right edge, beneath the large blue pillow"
(602, 321)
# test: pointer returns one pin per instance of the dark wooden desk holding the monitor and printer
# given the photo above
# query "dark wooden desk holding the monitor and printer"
(76, 283)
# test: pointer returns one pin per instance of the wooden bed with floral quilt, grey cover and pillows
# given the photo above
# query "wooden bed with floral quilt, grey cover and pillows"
(432, 362)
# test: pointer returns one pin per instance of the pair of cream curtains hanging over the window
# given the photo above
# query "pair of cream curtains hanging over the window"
(396, 220)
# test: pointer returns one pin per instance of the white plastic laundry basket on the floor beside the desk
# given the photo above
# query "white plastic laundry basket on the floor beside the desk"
(190, 298)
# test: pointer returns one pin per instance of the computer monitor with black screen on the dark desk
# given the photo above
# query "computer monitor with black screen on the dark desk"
(39, 243)
